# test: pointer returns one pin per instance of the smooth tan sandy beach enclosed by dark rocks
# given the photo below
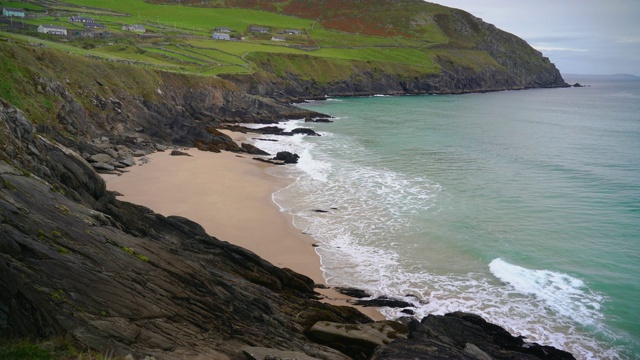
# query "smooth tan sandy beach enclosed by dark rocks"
(230, 196)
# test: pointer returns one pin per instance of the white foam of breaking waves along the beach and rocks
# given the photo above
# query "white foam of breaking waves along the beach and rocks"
(369, 207)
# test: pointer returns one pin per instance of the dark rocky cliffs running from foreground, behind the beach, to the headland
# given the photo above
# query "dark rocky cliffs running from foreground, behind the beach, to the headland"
(118, 277)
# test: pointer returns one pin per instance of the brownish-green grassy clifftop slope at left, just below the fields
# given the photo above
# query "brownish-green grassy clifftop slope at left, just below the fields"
(28, 71)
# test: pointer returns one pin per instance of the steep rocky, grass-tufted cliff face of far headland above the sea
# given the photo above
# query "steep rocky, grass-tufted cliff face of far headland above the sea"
(478, 58)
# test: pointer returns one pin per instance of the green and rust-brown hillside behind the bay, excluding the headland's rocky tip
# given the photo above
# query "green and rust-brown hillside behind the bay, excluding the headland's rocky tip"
(405, 37)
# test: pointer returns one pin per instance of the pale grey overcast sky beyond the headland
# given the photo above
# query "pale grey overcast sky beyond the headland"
(579, 36)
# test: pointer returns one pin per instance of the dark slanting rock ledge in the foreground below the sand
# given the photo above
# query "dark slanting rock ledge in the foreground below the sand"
(123, 280)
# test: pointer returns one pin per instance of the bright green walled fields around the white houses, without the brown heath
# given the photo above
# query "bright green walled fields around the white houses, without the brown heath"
(178, 38)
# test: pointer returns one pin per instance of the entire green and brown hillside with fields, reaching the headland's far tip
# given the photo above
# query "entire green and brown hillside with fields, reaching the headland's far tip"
(403, 38)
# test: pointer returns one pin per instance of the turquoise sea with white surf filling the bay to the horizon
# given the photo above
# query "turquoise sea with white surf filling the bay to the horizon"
(521, 206)
